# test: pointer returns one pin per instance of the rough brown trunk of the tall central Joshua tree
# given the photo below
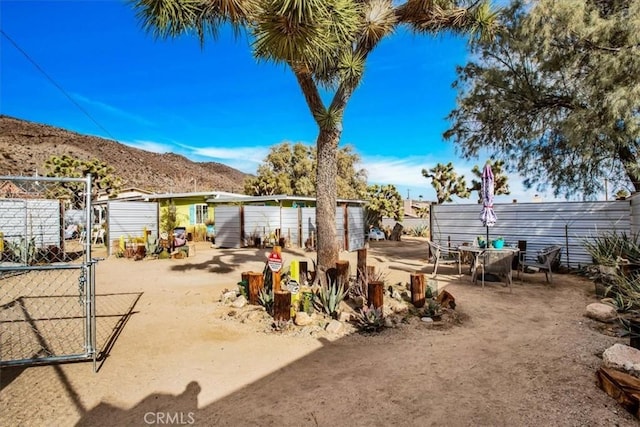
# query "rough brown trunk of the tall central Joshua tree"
(327, 169)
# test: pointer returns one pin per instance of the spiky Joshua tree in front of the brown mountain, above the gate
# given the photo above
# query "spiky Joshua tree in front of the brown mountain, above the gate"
(103, 177)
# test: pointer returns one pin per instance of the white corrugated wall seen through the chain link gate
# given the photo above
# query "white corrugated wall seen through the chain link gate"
(31, 218)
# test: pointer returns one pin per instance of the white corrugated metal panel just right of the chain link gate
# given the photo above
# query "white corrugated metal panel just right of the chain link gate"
(129, 219)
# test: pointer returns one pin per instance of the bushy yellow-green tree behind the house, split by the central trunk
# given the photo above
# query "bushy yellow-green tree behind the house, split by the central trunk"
(291, 169)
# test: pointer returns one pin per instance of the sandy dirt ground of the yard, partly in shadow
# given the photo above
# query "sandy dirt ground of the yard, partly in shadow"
(521, 358)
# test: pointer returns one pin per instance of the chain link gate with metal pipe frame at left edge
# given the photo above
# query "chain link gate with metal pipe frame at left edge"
(47, 275)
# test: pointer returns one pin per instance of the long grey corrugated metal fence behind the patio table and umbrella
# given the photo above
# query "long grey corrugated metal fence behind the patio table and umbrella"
(539, 224)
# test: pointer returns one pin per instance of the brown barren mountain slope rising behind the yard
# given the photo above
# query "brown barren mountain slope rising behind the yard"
(24, 147)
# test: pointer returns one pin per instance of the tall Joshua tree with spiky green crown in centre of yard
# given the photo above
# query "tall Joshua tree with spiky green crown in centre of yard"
(326, 44)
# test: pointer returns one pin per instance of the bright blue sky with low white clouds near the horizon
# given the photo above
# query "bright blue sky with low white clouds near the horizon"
(219, 104)
